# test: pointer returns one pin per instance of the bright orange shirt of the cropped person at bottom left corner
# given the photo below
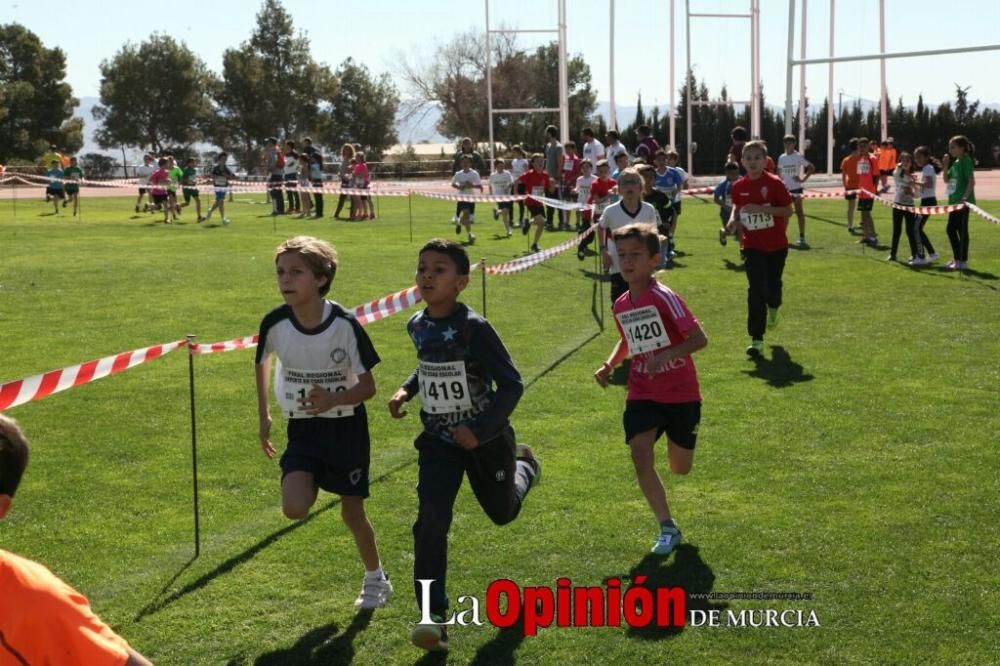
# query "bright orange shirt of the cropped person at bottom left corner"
(45, 621)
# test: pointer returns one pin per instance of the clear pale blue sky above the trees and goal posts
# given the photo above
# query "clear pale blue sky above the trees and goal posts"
(378, 32)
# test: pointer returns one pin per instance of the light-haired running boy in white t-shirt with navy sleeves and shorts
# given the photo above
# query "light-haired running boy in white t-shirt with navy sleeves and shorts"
(322, 381)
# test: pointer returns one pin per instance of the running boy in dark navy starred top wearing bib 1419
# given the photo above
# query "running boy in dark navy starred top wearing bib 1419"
(468, 388)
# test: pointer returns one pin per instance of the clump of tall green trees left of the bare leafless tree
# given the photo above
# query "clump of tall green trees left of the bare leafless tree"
(160, 95)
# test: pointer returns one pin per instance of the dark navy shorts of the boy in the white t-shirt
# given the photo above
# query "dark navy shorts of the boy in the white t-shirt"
(335, 451)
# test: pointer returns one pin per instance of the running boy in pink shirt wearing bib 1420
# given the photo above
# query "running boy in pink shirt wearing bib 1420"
(658, 331)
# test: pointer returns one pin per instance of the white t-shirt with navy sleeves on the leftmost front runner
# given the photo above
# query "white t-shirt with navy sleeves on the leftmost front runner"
(331, 355)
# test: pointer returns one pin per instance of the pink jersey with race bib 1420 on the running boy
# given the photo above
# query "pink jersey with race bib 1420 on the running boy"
(657, 319)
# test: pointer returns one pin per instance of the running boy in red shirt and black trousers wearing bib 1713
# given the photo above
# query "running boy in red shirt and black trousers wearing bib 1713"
(761, 206)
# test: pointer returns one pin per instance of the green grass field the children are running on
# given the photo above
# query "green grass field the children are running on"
(858, 463)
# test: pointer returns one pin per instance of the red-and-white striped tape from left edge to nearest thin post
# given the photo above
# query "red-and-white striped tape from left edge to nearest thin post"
(21, 391)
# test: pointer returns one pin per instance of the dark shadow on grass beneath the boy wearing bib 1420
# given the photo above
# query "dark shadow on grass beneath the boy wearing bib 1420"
(688, 571)
